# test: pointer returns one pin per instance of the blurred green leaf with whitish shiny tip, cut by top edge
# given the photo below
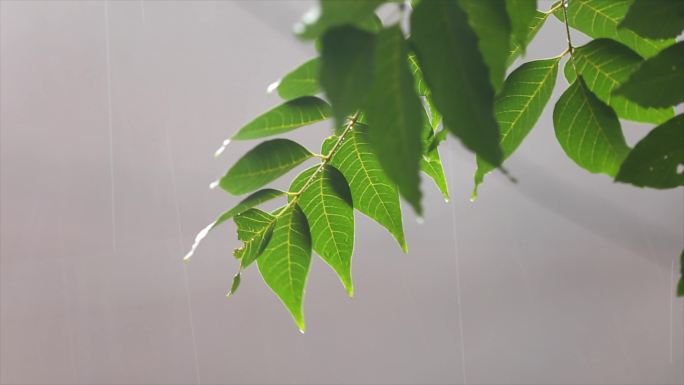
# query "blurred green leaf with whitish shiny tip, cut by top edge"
(333, 13)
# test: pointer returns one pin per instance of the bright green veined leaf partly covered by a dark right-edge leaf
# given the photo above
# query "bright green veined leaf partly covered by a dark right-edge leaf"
(605, 64)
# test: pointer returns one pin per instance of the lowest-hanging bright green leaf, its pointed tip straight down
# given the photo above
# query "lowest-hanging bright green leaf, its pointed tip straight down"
(284, 264)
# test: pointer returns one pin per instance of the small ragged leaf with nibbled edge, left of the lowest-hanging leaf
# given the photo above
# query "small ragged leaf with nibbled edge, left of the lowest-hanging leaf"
(254, 228)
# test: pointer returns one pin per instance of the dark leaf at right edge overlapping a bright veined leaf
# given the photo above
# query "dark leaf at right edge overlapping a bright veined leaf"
(659, 81)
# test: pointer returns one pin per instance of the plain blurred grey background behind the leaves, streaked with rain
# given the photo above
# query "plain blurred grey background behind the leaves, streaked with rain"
(110, 114)
